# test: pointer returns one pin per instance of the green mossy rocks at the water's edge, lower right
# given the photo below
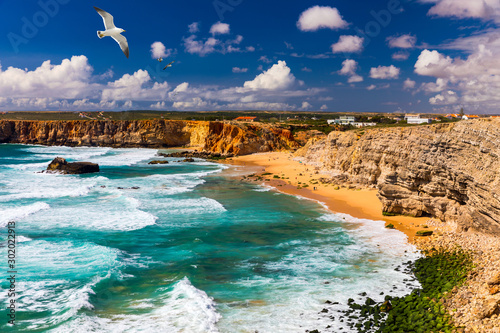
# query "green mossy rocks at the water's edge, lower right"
(421, 311)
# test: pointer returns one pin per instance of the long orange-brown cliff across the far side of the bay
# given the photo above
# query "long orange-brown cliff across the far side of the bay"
(217, 137)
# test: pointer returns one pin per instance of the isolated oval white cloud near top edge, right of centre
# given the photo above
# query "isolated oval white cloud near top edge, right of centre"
(319, 17)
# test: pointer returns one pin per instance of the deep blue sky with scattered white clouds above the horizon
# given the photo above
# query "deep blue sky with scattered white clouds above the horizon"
(377, 56)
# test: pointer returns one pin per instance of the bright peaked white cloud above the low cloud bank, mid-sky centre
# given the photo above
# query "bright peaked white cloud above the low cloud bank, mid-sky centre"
(276, 78)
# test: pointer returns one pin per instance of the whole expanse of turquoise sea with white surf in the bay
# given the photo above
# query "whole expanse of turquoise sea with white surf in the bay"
(191, 250)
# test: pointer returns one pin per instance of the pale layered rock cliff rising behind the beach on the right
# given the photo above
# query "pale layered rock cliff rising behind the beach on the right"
(448, 171)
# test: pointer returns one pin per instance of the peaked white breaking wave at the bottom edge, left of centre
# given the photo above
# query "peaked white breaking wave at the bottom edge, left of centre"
(183, 309)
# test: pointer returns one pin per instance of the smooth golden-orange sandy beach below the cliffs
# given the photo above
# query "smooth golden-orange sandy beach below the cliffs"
(301, 179)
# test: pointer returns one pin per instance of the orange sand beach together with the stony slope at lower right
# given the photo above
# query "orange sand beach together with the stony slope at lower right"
(473, 305)
